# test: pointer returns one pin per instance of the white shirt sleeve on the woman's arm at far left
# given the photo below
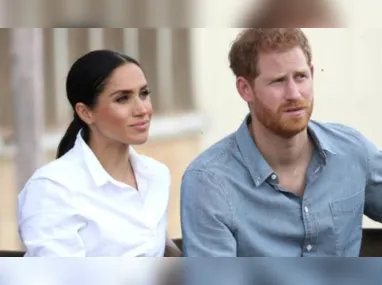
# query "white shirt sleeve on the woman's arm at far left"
(49, 221)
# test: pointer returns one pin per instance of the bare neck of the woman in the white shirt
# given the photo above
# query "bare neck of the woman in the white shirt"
(114, 158)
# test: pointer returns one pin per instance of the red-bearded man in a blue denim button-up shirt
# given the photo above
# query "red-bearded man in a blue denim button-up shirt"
(282, 185)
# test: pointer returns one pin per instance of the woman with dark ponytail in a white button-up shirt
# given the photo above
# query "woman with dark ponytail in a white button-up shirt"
(100, 197)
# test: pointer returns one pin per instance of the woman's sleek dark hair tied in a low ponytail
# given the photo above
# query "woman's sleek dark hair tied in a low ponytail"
(86, 79)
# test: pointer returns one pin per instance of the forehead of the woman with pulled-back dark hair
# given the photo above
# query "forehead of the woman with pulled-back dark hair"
(127, 76)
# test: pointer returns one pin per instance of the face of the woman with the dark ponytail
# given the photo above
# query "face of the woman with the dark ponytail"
(123, 111)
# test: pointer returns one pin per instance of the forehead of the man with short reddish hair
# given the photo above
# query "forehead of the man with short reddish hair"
(273, 63)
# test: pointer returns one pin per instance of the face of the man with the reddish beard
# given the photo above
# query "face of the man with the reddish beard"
(282, 93)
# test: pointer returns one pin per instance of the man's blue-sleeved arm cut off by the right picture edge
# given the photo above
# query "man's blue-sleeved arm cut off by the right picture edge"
(373, 192)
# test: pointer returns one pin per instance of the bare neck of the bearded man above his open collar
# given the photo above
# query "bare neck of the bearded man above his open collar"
(282, 152)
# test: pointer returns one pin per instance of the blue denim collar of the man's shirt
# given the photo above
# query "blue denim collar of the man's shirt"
(254, 160)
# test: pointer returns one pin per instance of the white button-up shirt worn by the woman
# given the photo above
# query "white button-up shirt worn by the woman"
(73, 207)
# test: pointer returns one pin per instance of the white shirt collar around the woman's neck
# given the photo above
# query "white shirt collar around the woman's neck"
(99, 174)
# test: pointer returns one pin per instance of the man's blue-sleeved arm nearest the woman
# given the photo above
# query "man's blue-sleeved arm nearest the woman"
(206, 217)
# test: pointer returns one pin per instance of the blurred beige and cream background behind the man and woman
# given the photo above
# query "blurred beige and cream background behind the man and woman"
(194, 96)
